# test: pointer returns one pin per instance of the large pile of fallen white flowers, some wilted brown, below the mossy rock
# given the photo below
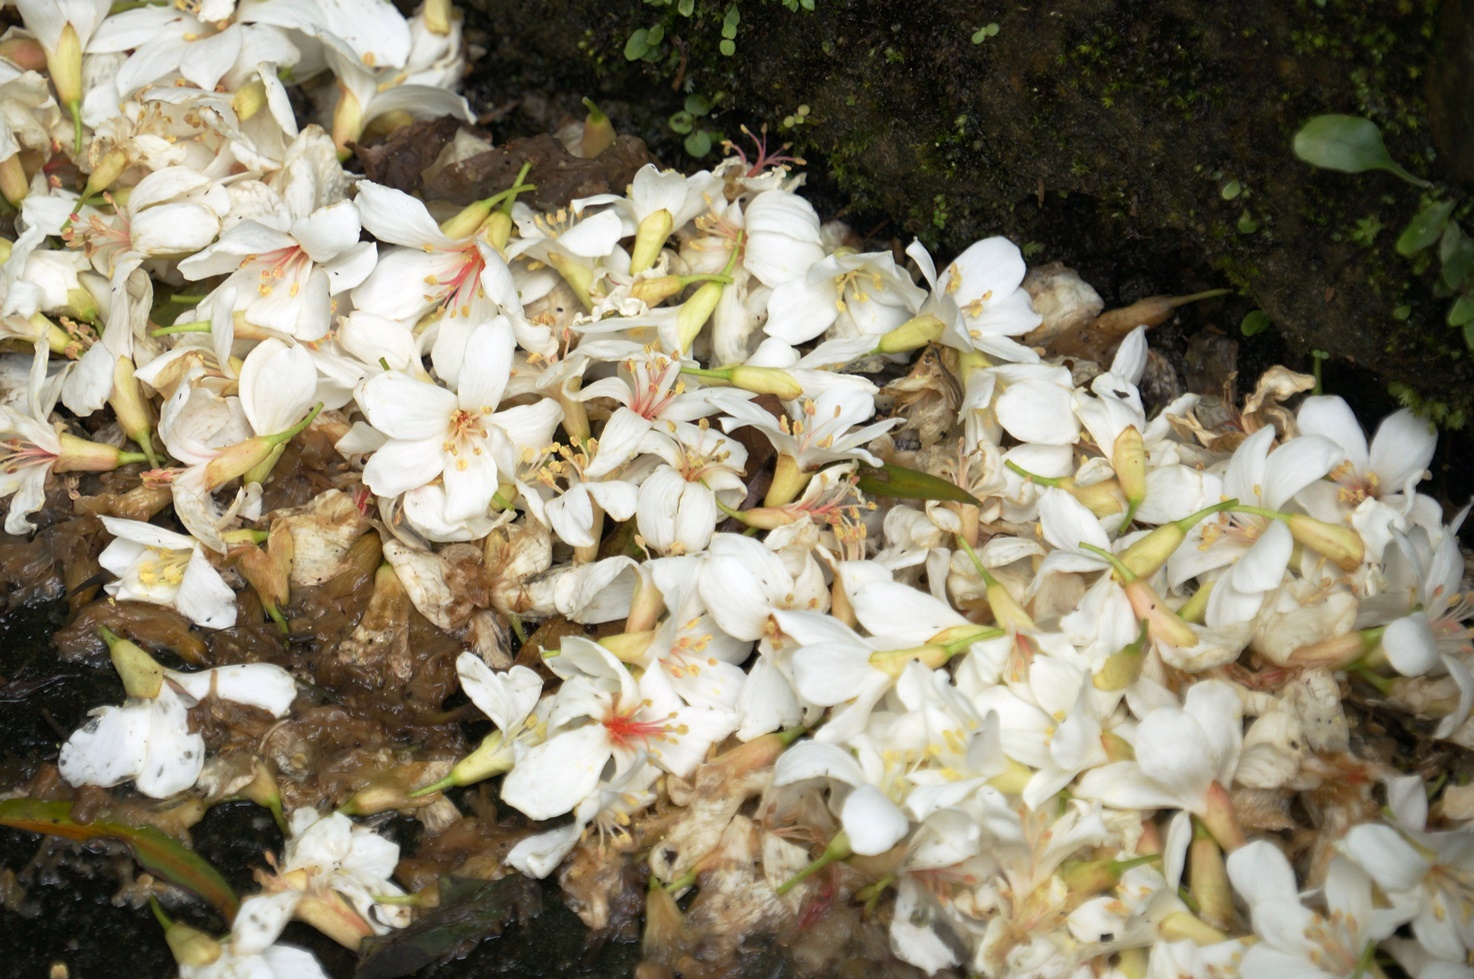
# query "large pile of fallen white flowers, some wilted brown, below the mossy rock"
(1047, 686)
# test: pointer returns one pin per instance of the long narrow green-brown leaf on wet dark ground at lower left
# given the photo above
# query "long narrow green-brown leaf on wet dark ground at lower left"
(156, 853)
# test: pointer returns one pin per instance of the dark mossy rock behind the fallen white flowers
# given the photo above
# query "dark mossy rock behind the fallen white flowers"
(1165, 123)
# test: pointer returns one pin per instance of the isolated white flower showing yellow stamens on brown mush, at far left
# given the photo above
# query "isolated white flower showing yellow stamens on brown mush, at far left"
(166, 568)
